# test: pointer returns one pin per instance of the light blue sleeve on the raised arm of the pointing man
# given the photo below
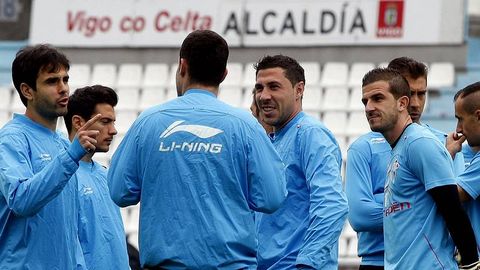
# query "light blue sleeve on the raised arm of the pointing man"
(27, 193)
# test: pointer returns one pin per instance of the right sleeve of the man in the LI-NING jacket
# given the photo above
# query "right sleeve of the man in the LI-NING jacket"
(266, 175)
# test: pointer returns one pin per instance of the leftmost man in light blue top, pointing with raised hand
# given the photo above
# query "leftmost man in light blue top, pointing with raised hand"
(39, 202)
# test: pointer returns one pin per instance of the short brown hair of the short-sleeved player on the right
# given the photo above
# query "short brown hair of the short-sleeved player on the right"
(397, 83)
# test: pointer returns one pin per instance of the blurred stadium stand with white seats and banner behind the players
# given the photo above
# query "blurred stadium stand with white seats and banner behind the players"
(132, 46)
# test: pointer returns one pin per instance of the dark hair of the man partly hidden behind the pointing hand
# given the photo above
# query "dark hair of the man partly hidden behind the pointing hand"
(83, 101)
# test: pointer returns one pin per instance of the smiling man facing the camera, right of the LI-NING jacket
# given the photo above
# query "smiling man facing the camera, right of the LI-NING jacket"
(304, 232)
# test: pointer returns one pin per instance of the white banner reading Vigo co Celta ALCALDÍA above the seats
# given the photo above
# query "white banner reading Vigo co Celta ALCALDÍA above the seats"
(151, 23)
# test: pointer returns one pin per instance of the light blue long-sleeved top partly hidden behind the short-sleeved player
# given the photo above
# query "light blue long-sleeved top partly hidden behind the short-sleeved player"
(366, 170)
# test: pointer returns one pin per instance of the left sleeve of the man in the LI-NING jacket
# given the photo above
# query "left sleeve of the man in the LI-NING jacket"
(123, 175)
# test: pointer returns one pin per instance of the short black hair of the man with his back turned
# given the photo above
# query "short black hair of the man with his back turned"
(206, 53)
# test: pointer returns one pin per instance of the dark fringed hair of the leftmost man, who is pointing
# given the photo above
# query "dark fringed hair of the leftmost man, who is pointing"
(30, 60)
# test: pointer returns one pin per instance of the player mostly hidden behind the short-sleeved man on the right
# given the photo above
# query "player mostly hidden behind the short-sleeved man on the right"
(366, 168)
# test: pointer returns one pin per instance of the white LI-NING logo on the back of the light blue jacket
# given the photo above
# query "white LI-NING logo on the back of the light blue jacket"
(200, 131)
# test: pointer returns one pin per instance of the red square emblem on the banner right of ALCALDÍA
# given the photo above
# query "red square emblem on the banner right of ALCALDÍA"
(390, 18)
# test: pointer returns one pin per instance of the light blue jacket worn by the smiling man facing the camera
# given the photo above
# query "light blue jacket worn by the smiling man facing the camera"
(305, 230)
